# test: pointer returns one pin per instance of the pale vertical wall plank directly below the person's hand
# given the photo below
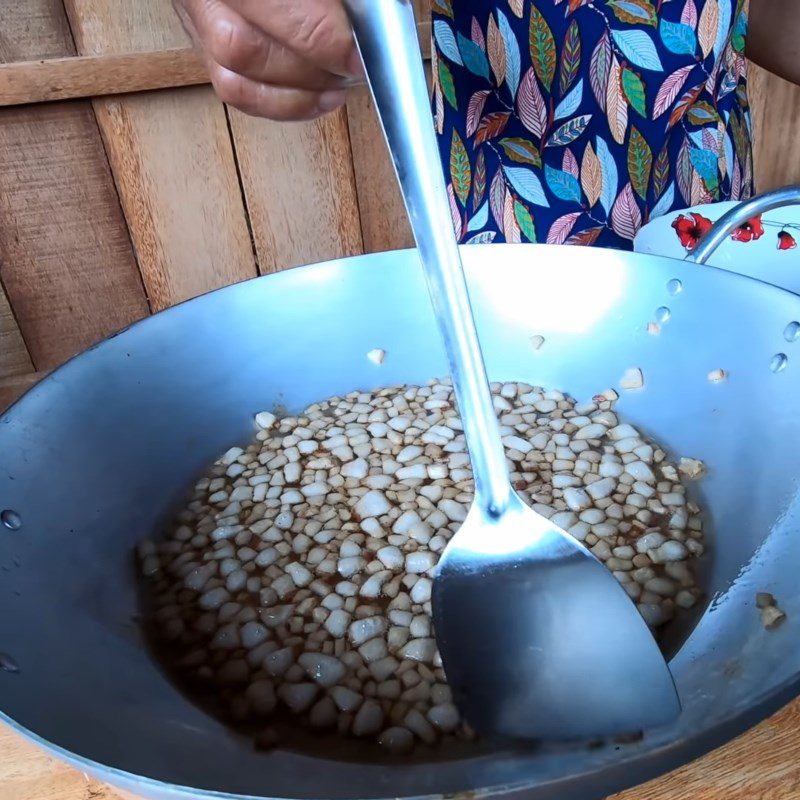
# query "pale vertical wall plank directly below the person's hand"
(300, 189)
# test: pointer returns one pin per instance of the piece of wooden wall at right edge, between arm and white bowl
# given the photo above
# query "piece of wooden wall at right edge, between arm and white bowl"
(776, 112)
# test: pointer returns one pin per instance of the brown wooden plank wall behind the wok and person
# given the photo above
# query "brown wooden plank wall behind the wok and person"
(126, 187)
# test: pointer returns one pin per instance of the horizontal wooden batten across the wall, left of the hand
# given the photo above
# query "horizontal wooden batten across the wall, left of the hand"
(46, 80)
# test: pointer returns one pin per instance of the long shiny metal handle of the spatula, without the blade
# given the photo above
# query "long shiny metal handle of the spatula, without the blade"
(386, 35)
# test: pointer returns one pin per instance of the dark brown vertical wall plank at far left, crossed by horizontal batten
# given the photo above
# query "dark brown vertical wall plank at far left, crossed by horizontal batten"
(65, 256)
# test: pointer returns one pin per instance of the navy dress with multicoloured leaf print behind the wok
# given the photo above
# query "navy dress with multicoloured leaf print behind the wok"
(579, 120)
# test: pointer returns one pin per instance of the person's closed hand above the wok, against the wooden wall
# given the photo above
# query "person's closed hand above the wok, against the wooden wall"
(281, 59)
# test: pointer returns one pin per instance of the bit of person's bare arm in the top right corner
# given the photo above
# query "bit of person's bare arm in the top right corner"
(773, 38)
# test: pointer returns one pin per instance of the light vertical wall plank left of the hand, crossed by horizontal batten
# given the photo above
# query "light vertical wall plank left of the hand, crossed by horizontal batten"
(171, 155)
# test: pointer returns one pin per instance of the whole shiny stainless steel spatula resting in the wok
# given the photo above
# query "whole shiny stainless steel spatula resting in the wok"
(537, 638)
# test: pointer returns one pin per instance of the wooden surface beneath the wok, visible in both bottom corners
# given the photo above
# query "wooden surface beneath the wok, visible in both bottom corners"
(761, 765)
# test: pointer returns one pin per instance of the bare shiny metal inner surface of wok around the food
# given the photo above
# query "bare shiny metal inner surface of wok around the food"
(98, 455)
